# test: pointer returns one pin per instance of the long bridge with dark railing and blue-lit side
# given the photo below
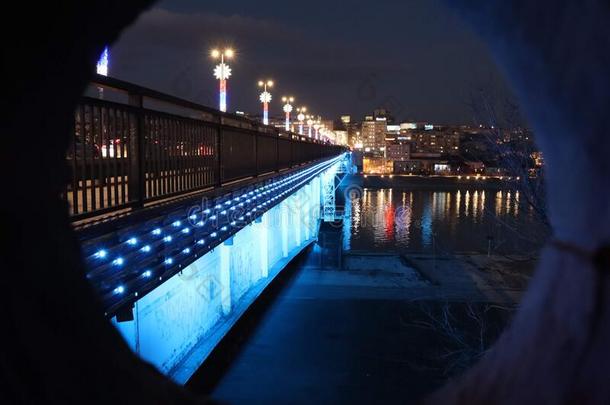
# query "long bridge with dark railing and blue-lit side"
(185, 214)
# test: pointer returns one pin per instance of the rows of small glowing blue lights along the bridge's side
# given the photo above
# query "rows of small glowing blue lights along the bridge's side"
(123, 270)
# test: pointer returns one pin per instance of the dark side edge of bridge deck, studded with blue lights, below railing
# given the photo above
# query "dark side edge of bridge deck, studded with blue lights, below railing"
(129, 257)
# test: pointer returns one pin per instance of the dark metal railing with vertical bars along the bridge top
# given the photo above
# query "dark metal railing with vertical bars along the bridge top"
(132, 146)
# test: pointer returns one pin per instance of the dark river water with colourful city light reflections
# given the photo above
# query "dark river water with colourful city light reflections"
(455, 221)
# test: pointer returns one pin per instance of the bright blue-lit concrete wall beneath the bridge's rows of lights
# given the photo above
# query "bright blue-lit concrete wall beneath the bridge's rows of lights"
(177, 325)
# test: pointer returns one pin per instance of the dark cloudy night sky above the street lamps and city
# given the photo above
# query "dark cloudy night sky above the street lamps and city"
(414, 57)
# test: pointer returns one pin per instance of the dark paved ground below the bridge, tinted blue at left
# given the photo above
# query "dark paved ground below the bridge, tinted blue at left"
(362, 328)
